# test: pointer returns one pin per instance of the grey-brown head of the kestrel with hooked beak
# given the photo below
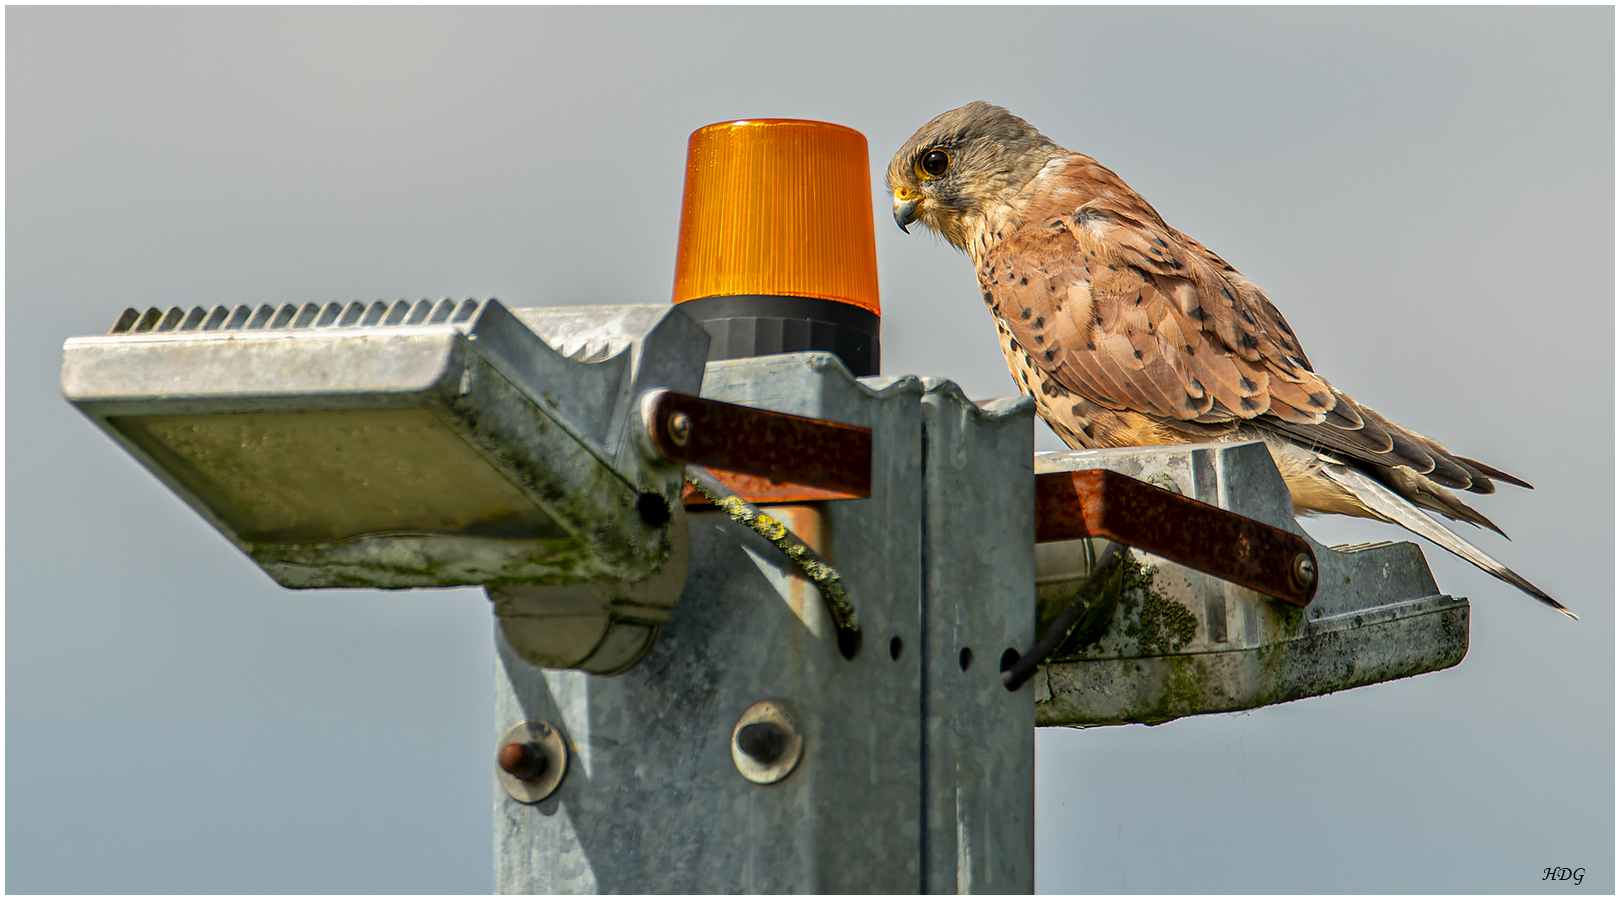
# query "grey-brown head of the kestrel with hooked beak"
(961, 168)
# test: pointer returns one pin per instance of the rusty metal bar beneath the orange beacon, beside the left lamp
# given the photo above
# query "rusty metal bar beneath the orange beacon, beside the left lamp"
(832, 459)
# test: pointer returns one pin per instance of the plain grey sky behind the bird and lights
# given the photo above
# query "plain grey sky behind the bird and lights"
(1428, 195)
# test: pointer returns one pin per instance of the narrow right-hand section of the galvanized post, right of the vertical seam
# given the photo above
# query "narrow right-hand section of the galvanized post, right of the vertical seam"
(979, 593)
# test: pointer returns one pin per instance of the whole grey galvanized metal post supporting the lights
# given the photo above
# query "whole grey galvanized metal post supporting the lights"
(916, 770)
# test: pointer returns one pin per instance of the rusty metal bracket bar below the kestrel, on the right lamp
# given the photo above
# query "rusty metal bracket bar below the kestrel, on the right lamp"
(1238, 550)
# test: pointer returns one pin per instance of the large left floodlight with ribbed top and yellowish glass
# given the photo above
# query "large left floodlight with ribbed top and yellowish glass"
(403, 446)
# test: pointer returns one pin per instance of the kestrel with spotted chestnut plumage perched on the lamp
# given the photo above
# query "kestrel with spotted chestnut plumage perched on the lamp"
(1128, 333)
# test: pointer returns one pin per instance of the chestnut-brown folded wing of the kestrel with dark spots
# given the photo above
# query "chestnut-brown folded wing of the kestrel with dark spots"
(1135, 316)
